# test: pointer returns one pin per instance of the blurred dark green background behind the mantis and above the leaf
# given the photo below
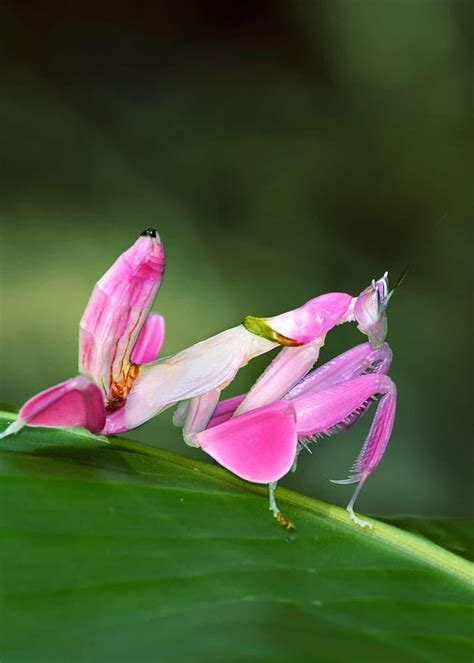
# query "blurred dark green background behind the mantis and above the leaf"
(282, 150)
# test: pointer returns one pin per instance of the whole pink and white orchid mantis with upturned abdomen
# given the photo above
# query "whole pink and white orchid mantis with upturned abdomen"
(258, 435)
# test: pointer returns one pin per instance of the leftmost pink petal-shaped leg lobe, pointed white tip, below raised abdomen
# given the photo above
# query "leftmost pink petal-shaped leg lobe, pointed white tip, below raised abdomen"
(76, 402)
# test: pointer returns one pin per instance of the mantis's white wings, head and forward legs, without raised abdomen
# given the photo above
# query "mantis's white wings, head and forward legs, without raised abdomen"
(258, 435)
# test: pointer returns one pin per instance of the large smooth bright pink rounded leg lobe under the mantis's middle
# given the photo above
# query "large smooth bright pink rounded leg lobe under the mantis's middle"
(258, 446)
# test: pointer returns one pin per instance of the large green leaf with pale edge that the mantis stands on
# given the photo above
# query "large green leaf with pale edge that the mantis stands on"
(133, 554)
